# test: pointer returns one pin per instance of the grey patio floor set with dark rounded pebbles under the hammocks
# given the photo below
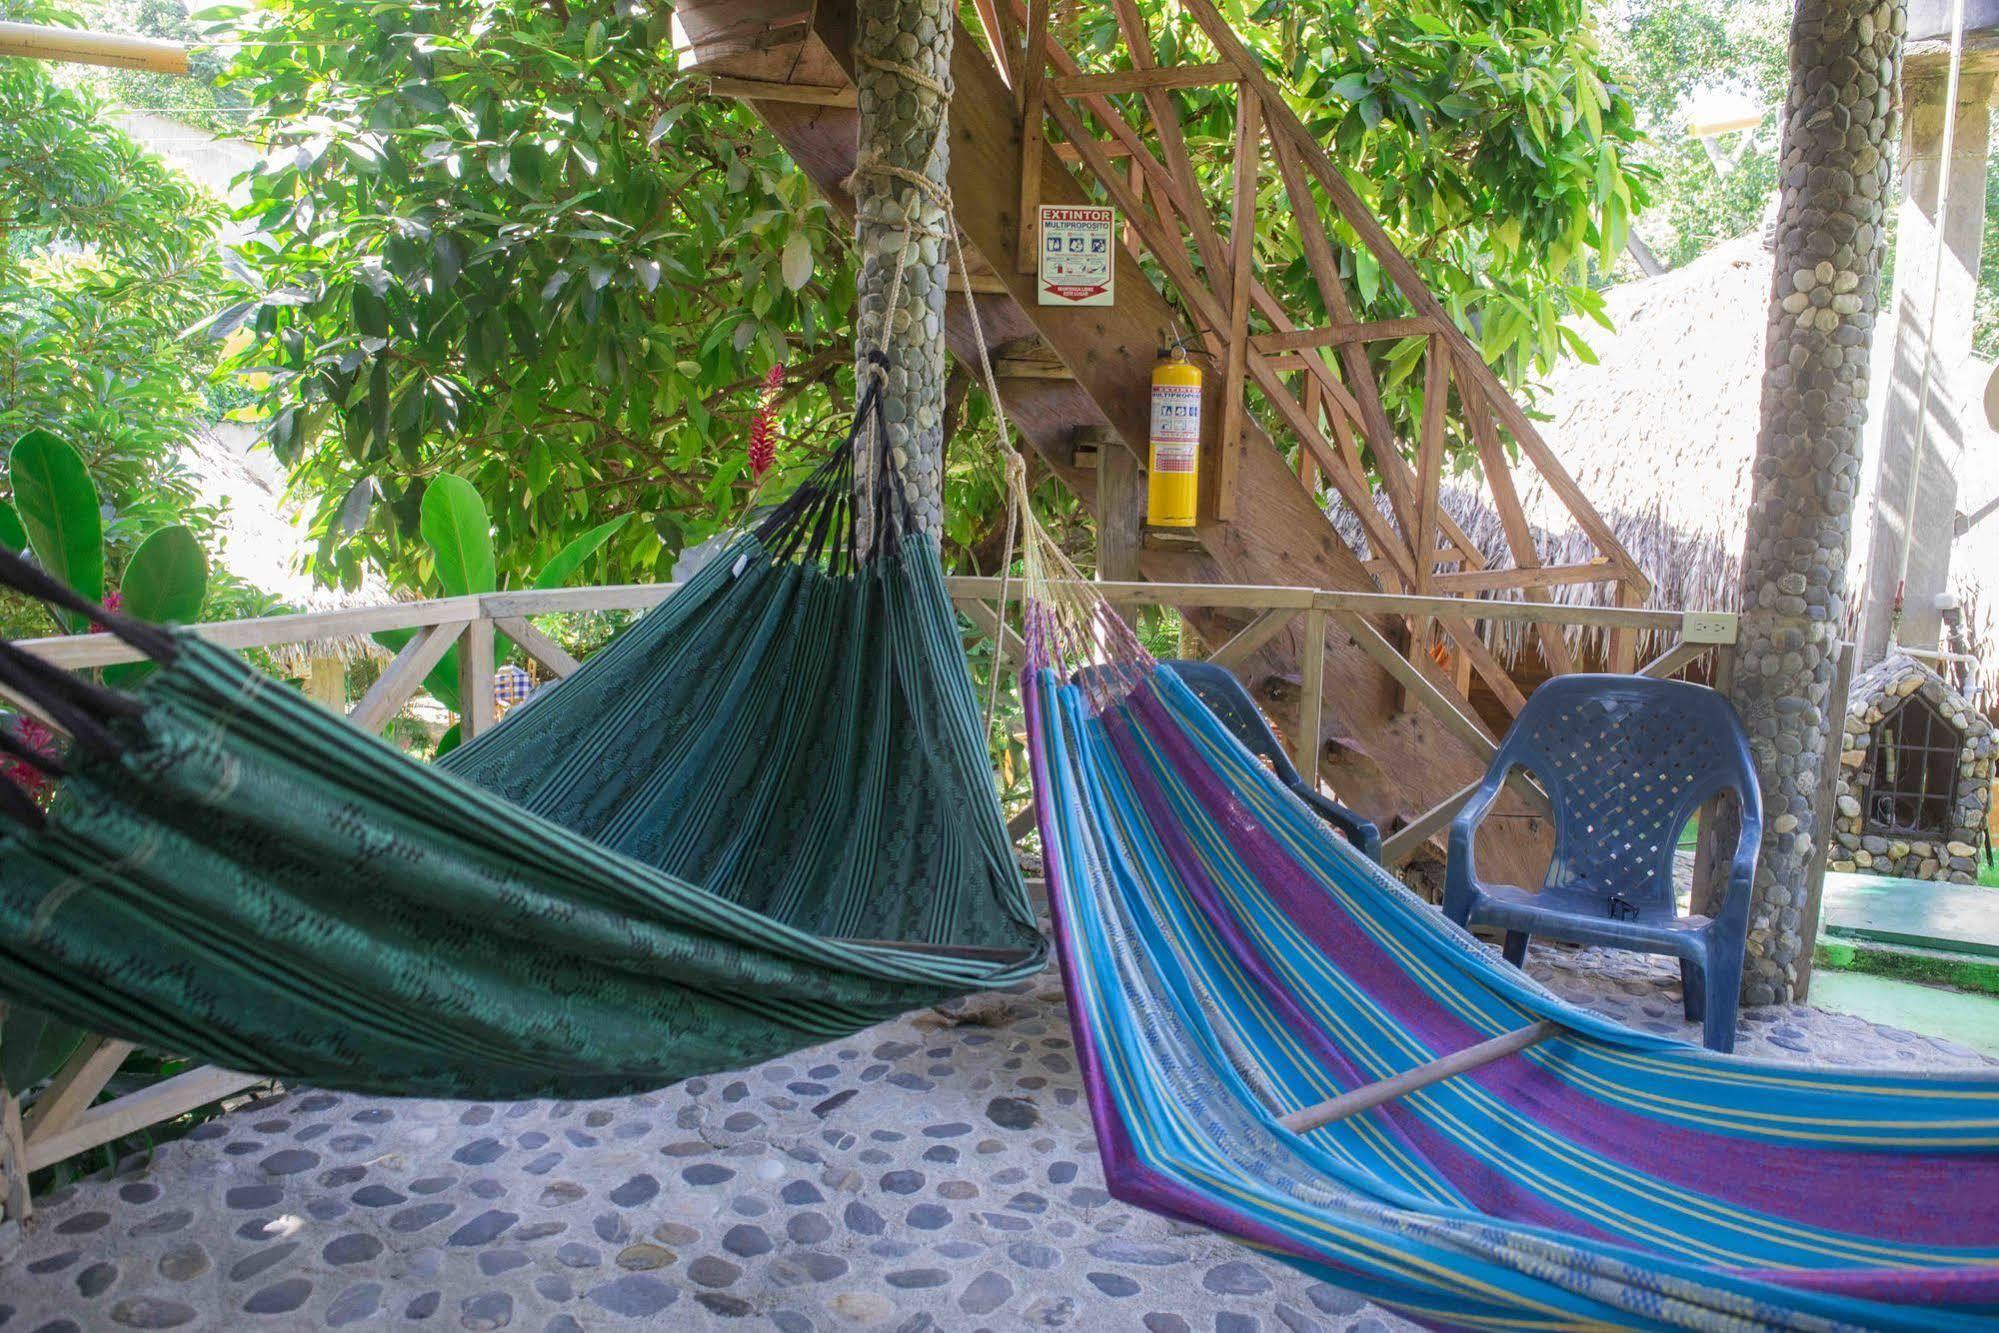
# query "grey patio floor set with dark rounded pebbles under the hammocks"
(933, 1174)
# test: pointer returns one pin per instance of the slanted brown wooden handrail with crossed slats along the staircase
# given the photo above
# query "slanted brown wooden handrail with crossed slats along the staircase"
(1316, 385)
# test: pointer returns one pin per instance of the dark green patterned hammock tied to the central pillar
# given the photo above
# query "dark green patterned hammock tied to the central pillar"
(759, 820)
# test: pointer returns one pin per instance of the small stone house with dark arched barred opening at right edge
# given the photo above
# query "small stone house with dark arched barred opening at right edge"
(1916, 774)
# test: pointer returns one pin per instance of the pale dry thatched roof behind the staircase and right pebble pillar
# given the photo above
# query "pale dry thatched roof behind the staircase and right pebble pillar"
(1660, 435)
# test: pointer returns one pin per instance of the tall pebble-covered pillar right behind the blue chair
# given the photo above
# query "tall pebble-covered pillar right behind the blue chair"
(1838, 145)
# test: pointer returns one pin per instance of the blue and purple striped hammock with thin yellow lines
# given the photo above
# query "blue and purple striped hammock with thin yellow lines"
(1230, 962)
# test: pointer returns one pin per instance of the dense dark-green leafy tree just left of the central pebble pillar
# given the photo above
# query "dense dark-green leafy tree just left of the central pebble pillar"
(505, 241)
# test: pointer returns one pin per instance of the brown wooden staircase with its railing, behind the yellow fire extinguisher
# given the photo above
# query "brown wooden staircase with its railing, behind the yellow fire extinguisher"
(1078, 377)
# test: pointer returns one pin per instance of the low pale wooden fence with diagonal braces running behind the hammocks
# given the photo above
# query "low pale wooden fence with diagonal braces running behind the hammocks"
(67, 1118)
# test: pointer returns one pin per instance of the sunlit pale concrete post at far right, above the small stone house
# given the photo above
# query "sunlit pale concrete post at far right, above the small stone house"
(1946, 341)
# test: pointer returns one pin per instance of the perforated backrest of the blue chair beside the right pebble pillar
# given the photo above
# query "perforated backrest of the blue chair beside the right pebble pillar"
(1626, 760)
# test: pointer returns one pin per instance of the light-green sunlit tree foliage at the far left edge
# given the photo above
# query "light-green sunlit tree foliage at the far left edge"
(107, 257)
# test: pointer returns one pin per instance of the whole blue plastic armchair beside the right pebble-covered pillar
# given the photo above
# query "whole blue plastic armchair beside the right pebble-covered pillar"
(1626, 760)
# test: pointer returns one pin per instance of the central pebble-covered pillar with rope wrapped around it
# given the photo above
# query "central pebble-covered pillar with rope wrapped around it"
(903, 65)
